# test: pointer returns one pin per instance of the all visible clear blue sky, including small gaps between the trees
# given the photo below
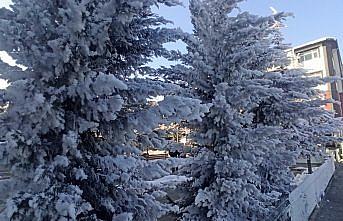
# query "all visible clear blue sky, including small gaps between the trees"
(312, 19)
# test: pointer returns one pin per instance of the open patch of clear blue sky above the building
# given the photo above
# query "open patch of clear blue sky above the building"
(312, 19)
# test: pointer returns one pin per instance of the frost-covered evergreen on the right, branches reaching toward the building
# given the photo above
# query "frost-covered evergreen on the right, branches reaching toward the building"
(254, 130)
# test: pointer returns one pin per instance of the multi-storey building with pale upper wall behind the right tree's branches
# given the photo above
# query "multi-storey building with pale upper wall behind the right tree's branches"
(321, 58)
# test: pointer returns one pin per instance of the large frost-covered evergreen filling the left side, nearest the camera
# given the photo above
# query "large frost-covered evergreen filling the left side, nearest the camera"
(76, 116)
